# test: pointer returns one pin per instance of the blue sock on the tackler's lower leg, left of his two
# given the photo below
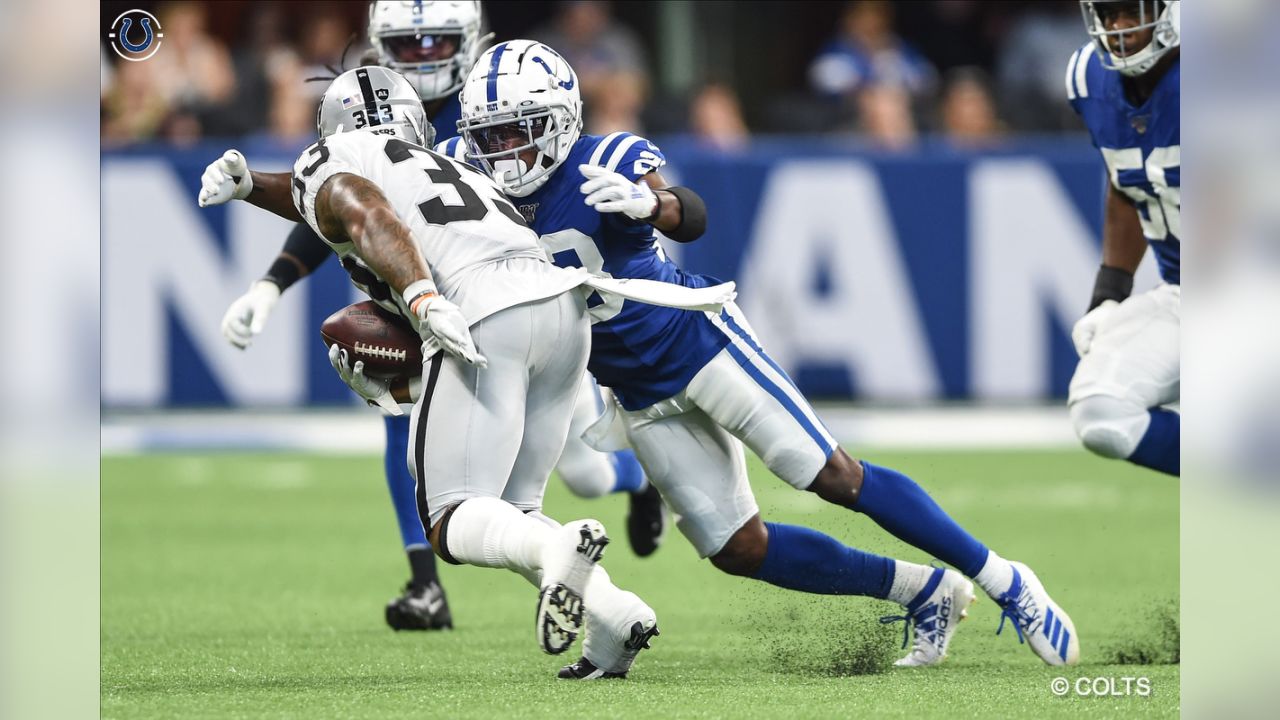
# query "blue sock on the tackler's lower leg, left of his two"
(806, 560)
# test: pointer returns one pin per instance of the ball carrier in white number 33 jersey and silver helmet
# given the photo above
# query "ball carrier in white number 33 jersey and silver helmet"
(446, 250)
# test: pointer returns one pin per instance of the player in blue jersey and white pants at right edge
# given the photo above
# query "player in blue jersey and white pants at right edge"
(1126, 86)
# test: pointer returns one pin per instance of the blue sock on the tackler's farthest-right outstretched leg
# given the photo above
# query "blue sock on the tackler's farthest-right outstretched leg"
(909, 514)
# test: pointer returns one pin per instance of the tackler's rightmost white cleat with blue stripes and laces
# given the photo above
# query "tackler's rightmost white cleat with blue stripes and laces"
(1039, 621)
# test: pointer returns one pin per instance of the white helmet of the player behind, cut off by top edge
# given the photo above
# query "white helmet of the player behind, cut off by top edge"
(432, 44)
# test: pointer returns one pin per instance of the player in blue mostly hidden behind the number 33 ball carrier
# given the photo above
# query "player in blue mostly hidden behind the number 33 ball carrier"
(433, 45)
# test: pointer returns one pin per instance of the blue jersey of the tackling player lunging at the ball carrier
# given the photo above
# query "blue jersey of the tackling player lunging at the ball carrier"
(644, 353)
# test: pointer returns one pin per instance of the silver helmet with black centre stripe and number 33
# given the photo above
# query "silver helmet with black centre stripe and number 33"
(374, 98)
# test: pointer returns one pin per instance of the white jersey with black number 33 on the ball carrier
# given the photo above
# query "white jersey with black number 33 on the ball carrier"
(482, 254)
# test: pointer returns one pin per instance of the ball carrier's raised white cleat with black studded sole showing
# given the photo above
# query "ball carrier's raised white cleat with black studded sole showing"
(568, 564)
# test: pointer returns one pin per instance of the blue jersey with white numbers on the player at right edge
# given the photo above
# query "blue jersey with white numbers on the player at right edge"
(1141, 147)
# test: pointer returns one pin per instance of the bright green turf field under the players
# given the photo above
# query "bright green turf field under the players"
(253, 586)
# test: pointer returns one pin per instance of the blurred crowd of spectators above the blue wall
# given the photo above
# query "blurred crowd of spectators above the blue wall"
(884, 74)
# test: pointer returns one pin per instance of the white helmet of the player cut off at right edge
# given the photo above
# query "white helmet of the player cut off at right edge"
(1163, 17)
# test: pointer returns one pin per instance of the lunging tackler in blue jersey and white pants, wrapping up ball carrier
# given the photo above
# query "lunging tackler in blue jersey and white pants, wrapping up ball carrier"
(691, 389)
